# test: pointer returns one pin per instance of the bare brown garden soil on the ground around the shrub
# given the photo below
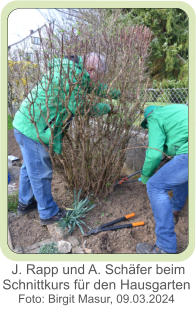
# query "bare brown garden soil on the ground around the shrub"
(126, 198)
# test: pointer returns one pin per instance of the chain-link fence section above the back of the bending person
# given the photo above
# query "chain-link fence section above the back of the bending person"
(174, 95)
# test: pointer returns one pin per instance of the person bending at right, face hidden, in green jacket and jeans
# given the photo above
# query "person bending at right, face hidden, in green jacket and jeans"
(168, 135)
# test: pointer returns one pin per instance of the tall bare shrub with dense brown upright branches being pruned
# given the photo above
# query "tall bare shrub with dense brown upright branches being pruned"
(93, 146)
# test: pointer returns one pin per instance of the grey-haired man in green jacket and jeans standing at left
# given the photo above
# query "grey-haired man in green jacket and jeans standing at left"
(42, 119)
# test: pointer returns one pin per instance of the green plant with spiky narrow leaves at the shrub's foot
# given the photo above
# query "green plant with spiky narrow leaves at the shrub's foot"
(73, 218)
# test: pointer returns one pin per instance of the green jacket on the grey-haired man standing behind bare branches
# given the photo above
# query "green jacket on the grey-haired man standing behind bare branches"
(33, 116)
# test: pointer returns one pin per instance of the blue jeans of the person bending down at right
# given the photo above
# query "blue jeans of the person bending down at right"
(172, 176)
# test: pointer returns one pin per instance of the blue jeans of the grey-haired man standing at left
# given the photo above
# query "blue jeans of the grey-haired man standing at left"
(36, 176)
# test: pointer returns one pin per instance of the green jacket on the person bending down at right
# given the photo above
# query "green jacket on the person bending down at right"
(167, 133)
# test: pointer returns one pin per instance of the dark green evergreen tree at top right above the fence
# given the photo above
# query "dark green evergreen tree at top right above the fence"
(170, 46)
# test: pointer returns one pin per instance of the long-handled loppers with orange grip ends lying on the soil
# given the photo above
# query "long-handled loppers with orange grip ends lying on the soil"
(109, 226)
